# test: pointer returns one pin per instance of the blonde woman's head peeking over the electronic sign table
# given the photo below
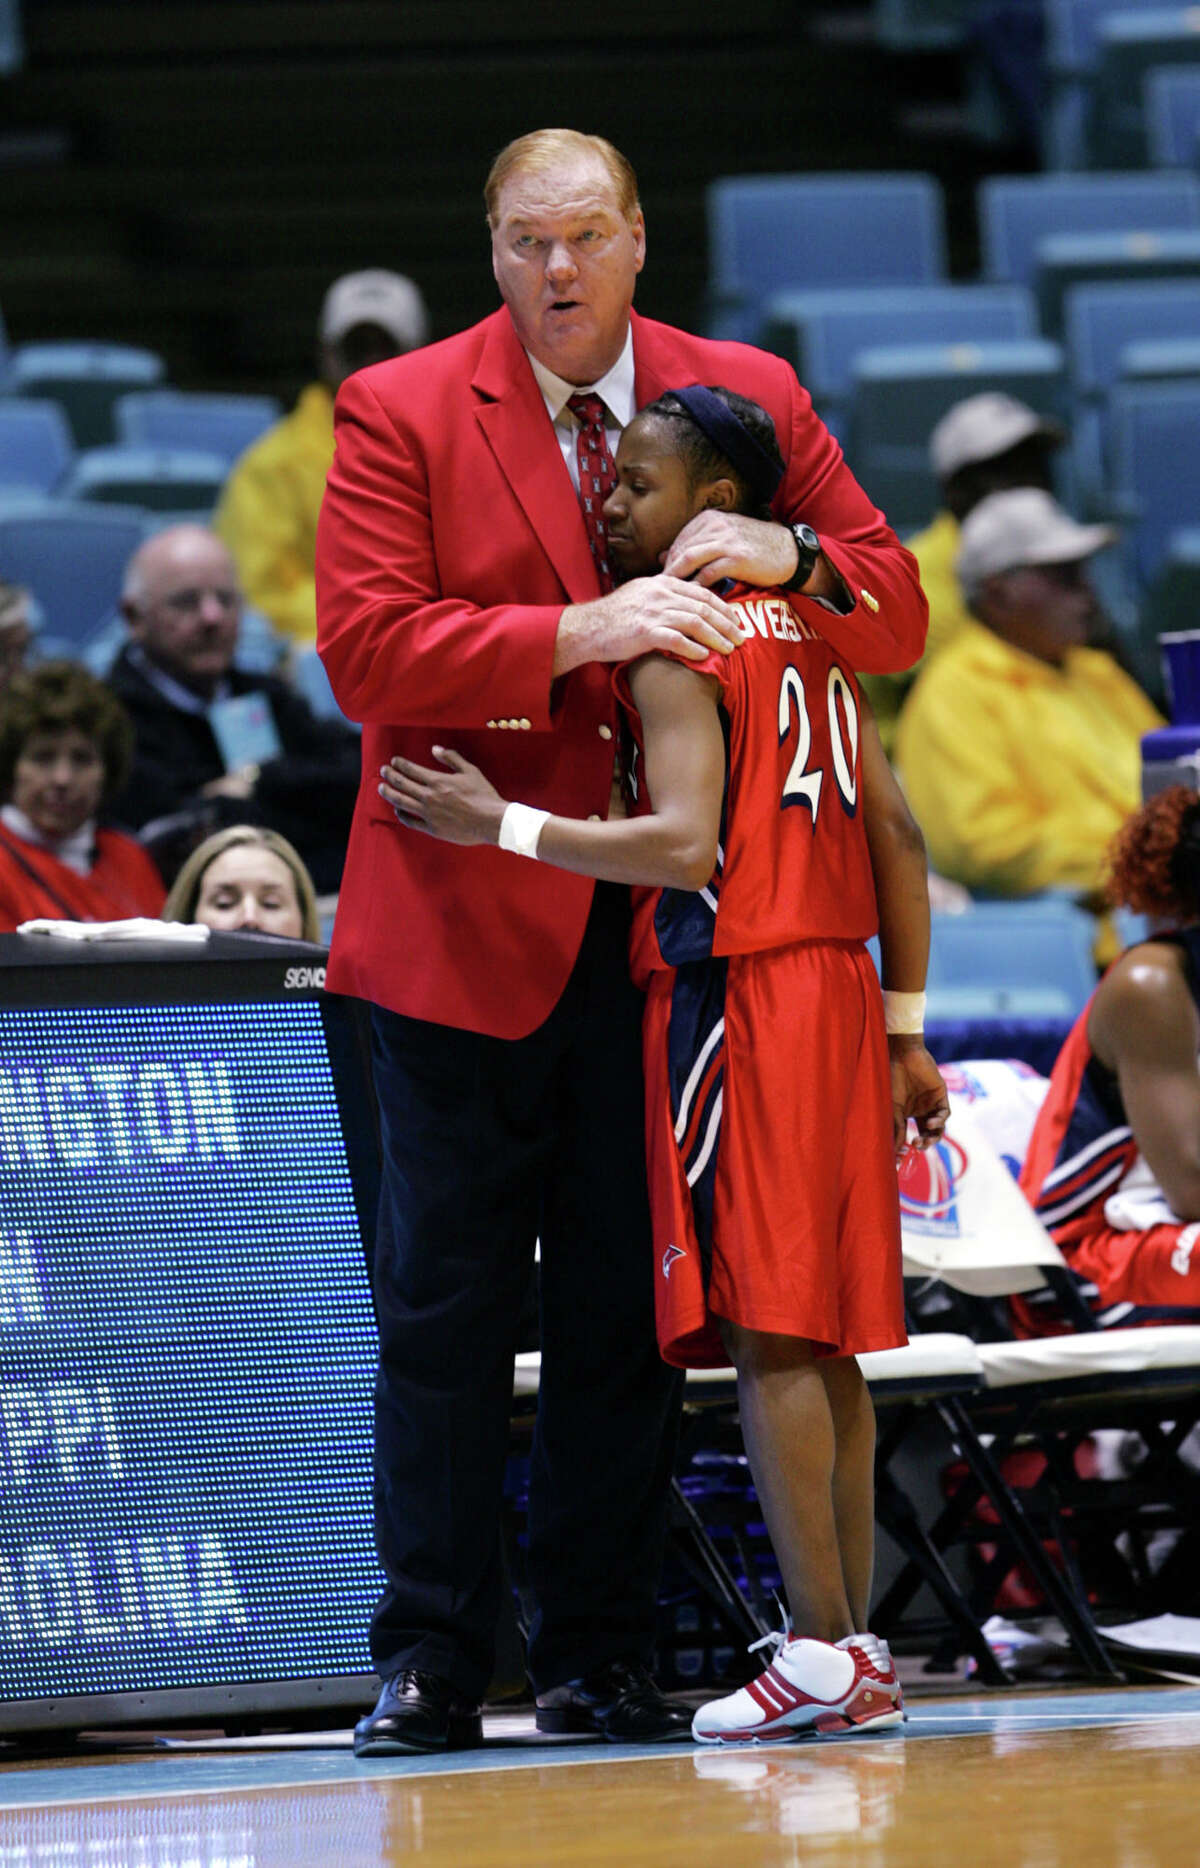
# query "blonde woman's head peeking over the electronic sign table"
(246, 881)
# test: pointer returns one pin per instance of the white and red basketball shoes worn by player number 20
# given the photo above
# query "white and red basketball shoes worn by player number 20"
(810, 1686)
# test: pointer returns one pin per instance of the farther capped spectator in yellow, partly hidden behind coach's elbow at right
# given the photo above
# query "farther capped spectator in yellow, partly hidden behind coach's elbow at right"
(984, 446)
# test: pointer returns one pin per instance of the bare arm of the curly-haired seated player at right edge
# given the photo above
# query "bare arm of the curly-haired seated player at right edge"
(1145, 1026)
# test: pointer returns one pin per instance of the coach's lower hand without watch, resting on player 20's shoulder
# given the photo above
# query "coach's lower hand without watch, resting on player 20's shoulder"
(648, 616)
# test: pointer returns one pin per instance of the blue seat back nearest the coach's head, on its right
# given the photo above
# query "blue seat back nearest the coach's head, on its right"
(771, 233)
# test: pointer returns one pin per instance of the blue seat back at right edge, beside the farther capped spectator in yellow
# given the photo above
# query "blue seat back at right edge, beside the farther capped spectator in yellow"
(1156, 468)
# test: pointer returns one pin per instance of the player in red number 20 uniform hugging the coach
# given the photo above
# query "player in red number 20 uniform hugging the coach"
(762, 802)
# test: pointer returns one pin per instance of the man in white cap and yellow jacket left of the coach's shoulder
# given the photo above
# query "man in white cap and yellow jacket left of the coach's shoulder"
(272, 500)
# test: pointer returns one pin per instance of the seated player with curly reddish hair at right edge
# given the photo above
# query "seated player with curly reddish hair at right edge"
(1113, 1167)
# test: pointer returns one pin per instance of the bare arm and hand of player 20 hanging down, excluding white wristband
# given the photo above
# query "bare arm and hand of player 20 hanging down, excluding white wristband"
(902, 896)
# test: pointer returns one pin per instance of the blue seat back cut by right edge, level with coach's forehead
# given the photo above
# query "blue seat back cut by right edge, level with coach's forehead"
(1020, 212)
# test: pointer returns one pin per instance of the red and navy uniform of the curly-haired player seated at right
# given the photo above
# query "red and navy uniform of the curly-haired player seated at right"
(1098, 1198)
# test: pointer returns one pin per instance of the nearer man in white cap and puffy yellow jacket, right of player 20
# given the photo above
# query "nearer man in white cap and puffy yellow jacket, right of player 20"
(1020, 746)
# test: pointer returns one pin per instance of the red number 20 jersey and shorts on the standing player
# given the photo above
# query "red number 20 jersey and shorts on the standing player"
(769, 1103)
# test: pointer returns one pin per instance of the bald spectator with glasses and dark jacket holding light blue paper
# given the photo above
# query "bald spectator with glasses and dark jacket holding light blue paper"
(212, 743)
